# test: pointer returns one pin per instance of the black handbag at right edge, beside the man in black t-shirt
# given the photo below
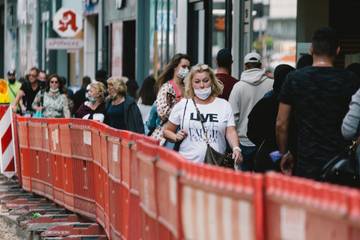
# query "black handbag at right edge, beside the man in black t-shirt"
(344, 168)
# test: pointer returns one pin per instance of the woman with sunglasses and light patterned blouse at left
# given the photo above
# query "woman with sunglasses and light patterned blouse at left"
(52, 102)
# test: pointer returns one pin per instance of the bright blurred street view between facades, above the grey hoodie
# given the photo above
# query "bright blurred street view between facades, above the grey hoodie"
(274, 31)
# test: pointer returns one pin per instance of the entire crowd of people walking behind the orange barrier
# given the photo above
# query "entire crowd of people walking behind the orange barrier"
(294, 120)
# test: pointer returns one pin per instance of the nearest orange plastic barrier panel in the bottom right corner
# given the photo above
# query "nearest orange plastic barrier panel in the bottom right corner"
(303, 209)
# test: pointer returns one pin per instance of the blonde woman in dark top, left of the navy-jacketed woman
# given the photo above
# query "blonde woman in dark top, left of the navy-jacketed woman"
(94, 107)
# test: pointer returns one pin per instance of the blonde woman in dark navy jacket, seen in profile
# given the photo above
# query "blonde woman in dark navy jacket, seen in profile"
(122, 111)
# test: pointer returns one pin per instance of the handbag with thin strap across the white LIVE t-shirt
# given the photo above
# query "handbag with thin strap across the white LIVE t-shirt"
(212, 156)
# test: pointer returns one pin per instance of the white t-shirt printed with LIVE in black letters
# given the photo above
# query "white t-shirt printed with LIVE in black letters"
(218, 116)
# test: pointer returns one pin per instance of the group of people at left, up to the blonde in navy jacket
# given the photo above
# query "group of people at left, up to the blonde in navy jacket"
(104, 100)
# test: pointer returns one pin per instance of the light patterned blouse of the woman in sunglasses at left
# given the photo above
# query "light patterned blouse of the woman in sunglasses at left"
(55, 105)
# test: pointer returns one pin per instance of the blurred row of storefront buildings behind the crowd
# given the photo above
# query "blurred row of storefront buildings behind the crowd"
(136, 38)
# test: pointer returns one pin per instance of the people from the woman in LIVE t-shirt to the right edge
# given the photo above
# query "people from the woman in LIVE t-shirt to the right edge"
(295, 122)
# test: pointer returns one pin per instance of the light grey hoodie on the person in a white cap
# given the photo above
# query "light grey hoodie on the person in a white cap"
(246, 93)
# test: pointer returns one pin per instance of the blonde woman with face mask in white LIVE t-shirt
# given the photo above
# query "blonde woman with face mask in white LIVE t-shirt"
(201, 91)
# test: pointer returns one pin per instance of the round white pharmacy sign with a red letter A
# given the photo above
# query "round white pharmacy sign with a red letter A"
(67, 22)
